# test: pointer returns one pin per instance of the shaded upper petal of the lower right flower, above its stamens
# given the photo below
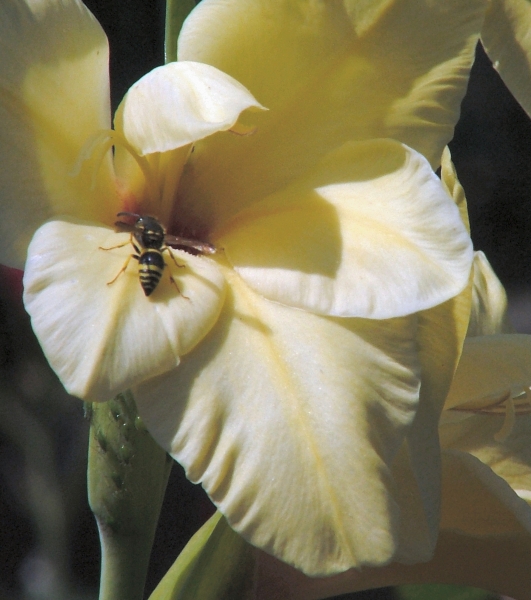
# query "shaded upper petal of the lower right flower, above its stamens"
(491, 368)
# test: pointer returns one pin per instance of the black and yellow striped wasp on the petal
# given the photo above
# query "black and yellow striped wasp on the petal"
(149, 240)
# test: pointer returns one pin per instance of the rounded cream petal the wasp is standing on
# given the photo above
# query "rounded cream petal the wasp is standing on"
(103, 336)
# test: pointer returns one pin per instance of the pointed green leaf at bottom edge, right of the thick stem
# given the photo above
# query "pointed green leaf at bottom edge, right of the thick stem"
(216, 564)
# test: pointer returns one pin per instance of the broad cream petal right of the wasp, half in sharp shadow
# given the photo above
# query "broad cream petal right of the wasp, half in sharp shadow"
(370, 232)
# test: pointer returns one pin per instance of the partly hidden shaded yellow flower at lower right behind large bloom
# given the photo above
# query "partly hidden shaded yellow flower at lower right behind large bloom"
(485, 433)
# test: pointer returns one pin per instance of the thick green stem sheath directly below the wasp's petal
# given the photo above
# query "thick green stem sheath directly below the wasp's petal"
(127, 477)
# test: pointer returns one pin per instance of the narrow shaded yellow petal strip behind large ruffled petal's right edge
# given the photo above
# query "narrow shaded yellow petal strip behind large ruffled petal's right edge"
(440, 335)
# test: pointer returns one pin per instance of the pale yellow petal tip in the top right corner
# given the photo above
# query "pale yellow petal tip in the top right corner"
(506, 36)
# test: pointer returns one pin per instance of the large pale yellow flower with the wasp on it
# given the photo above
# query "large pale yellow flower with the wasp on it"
(299, 372)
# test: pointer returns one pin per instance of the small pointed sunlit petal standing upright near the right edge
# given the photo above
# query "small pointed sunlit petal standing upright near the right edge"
(489, 301)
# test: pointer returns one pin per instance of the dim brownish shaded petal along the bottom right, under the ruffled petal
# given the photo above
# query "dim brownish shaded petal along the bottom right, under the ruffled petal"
(492, 552)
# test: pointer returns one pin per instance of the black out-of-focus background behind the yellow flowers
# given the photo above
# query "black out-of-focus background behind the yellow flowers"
(48, 540)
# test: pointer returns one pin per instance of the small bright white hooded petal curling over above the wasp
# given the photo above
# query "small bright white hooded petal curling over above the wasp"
(178, 104)
